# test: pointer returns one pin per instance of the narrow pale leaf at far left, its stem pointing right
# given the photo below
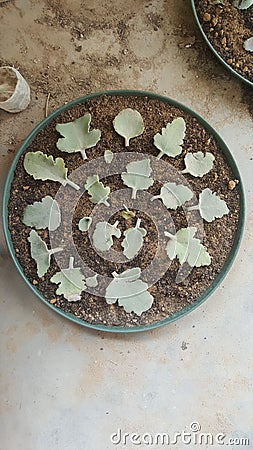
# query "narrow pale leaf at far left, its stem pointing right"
(40, 252)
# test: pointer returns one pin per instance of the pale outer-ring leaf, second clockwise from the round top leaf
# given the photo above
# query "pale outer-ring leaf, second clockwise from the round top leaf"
(198, 164)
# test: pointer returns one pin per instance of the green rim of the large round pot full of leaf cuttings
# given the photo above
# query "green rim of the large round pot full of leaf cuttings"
(237, 236)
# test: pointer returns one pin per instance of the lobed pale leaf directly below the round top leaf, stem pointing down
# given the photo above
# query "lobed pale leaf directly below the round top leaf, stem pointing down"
(137, 176)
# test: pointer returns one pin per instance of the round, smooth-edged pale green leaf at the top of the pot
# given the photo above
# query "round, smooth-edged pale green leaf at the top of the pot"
(128, 124)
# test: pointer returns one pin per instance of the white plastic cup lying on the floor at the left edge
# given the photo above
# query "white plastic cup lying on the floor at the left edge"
(14, 90)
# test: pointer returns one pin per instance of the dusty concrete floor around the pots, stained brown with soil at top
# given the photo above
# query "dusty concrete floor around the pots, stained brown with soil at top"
(64, 387)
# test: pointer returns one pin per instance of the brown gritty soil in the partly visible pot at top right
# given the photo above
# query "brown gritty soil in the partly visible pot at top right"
(227, 28)
